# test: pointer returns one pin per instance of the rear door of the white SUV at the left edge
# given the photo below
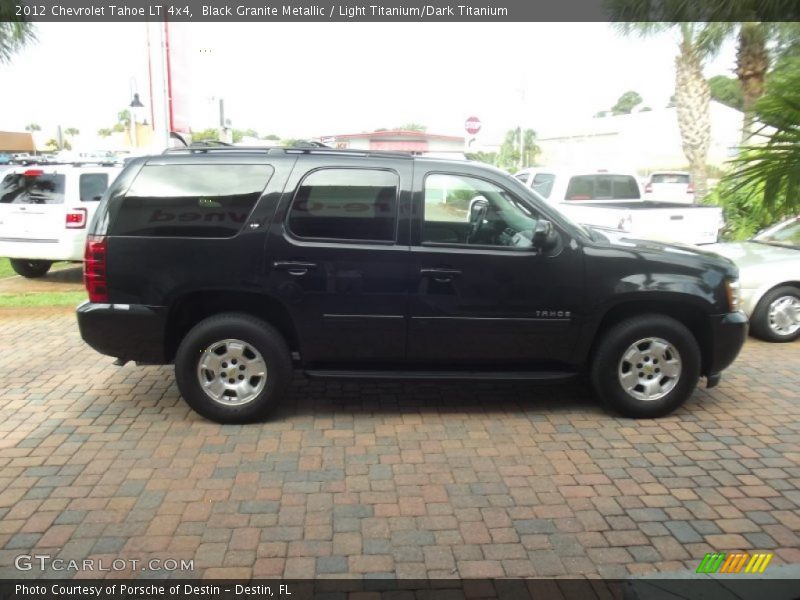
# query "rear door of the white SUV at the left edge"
(33, 205)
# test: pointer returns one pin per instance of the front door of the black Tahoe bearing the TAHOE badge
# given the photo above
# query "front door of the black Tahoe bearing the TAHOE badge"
(482, 296)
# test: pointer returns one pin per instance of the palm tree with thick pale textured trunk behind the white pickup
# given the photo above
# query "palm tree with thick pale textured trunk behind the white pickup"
(697, 43)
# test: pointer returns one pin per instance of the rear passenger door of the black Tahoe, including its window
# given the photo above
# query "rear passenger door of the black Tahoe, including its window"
(337, 257)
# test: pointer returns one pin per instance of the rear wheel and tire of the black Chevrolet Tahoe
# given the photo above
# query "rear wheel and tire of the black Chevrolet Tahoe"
(238, 341)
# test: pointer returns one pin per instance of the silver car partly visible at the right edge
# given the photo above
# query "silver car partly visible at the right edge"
(769, 264)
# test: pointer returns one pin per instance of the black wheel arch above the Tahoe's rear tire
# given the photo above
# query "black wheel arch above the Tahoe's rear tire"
(191, 308)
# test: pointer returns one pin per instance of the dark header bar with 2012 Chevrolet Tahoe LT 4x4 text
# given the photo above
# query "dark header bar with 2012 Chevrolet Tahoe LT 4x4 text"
(422, 11)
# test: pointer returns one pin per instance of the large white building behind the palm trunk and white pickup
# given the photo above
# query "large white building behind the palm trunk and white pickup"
(643, 141)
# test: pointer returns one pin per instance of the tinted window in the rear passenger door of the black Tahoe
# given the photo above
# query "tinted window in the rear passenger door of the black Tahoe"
(346, 204)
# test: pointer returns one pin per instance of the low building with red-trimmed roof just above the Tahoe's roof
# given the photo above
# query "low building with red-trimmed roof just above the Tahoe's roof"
(398, 140)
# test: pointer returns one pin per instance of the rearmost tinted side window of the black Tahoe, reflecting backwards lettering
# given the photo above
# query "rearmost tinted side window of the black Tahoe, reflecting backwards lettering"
(190, 200)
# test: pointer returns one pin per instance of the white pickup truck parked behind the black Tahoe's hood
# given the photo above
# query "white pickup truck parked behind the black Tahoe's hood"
(613, 200)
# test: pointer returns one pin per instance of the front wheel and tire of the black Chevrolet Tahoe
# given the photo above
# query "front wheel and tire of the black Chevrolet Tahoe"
(658, 359)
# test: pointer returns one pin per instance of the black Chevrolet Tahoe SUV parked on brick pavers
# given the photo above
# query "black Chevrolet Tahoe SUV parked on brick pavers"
(238, 264)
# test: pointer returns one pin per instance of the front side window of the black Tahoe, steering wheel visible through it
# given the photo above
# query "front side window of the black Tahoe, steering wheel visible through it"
(466, 210)
